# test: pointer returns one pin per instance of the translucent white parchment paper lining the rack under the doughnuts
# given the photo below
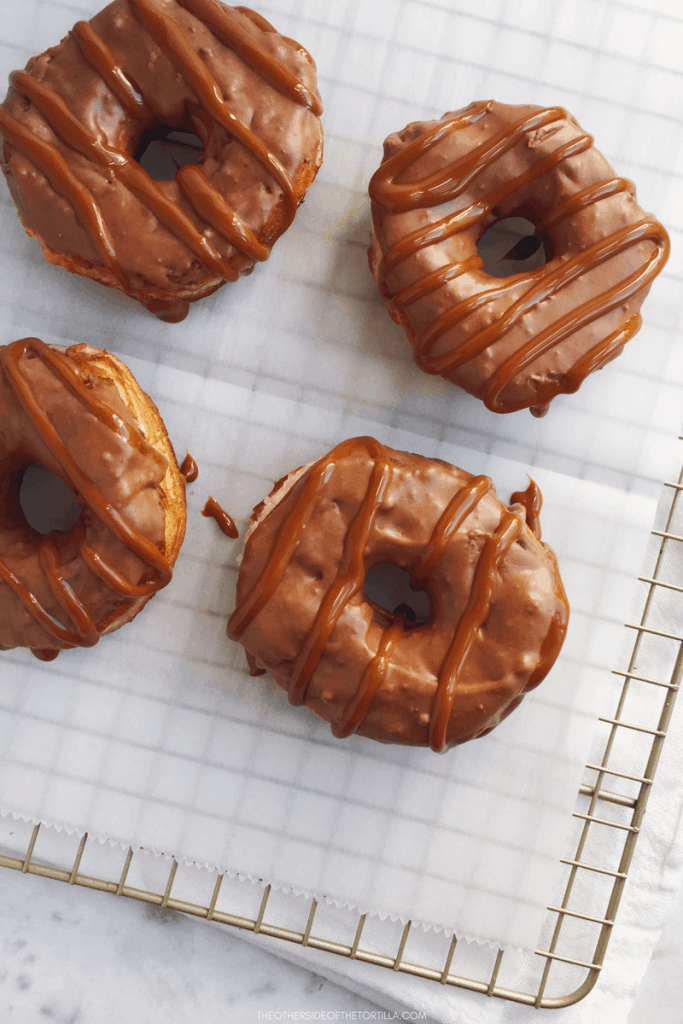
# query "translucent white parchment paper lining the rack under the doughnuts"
(158, 738)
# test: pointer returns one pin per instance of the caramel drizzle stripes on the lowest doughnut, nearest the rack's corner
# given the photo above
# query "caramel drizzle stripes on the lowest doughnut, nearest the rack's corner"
(351, 577)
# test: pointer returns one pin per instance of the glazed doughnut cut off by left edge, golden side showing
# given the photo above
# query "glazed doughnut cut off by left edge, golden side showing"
(81, 415)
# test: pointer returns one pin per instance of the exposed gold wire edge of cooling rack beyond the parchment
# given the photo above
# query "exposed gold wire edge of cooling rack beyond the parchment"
(621, 814)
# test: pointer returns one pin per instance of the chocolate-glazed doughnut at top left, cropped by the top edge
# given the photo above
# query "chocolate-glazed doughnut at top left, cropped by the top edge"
(73, 122)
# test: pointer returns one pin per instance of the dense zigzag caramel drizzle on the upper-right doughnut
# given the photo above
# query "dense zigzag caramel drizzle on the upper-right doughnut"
(451, 183)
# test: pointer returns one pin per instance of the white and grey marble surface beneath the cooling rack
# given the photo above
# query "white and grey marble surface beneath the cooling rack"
(71, 956)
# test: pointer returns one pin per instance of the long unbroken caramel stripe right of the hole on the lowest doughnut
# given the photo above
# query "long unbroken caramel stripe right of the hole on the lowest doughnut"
(473, 620)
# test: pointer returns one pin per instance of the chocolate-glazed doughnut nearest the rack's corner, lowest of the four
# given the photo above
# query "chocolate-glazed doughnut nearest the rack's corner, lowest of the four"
(499, 612)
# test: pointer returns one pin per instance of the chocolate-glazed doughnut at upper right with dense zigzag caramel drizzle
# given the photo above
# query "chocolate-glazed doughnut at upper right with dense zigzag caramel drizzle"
(516, 344)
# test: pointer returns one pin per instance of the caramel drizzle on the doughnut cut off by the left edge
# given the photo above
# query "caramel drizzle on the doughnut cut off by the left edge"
(87, 632)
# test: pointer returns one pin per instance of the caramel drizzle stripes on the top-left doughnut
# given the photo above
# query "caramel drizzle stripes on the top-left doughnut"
(207, 202)
